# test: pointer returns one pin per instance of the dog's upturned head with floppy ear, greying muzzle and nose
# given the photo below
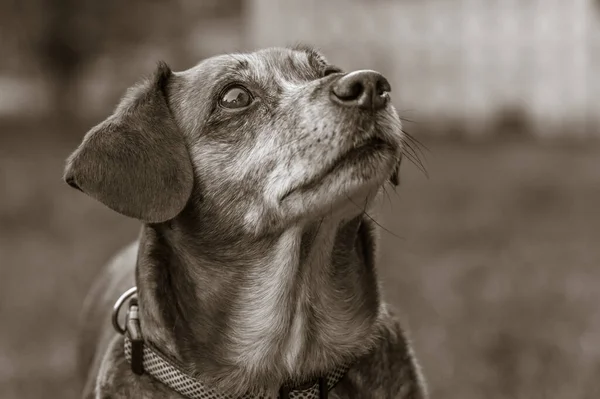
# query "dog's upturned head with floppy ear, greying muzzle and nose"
(258, 141)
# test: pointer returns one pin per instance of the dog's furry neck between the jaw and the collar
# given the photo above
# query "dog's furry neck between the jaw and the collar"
(253, 314)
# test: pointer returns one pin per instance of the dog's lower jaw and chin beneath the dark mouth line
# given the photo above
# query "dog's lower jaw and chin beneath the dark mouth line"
(346, 185)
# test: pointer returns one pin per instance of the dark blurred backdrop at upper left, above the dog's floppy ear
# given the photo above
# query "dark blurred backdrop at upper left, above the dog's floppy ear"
(75, 58)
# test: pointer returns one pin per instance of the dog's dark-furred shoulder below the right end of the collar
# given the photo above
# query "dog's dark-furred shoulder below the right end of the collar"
(388, 371)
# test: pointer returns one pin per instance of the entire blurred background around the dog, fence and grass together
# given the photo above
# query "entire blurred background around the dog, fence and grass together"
(492, 256)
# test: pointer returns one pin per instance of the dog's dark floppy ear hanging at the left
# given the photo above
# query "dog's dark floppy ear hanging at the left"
(136, 161)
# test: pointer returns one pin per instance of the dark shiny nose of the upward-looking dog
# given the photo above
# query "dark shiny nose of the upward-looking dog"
(362, 89)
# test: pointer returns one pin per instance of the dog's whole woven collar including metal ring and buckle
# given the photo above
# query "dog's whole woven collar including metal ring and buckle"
(144, 358)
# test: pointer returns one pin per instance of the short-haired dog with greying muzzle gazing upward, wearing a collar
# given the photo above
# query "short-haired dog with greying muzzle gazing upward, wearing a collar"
(255, 266)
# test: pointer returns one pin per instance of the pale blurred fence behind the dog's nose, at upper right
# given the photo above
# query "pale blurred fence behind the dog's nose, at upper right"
(467, 64)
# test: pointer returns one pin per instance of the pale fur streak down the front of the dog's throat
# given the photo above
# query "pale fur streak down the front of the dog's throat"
(272, 317)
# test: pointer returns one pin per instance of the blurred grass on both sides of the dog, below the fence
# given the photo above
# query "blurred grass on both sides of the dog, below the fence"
(495, 269)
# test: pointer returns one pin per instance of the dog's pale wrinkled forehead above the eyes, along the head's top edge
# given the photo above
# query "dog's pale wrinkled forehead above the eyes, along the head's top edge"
(267, 66)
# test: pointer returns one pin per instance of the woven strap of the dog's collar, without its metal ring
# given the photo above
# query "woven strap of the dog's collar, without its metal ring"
(164, 371)
